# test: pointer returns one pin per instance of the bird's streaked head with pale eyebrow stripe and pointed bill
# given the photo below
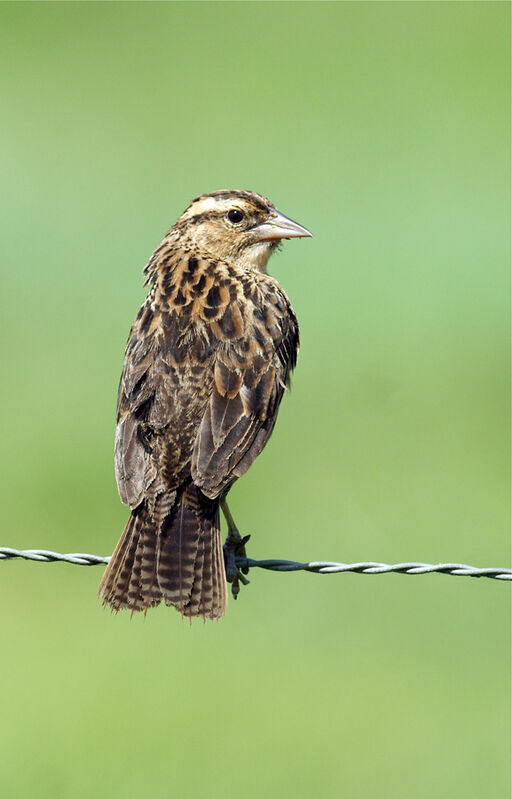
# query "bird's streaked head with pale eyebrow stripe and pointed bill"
(237, 225)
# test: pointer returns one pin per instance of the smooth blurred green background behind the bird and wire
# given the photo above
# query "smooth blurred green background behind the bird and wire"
(384, 128)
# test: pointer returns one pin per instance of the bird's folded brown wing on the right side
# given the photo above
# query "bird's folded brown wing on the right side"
(244, 402)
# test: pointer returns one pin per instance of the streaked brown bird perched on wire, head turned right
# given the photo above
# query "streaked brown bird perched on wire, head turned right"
(207, 361)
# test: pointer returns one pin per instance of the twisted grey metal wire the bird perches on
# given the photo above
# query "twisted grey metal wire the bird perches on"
(317, 567)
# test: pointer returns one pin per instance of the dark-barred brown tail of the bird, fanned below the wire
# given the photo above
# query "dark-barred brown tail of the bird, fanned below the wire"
(179, 561)
